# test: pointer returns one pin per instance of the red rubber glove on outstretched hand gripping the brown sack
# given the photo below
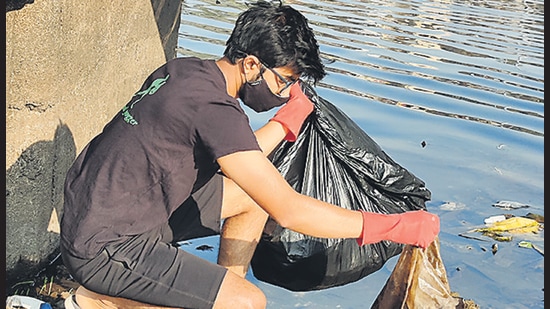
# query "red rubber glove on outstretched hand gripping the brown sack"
(418, 228)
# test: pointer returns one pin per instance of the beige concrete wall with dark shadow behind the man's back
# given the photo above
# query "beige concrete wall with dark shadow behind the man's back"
(70, 66)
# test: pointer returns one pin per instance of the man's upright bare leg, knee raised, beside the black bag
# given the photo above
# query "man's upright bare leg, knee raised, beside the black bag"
(242, 228)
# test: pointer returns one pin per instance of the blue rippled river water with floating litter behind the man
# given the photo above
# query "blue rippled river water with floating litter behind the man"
(451, 90)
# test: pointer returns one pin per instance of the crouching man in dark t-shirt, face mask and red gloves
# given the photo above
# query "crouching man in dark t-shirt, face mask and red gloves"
(180, 158)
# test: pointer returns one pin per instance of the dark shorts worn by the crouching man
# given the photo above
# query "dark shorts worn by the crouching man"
(150, 268)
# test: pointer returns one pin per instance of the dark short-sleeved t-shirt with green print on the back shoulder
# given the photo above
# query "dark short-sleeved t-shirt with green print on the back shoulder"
(152, 155)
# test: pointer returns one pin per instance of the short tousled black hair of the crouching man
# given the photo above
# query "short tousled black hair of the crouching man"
(279, 36)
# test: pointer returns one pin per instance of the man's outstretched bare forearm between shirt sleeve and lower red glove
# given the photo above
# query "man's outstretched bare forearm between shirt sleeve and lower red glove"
(255, 174)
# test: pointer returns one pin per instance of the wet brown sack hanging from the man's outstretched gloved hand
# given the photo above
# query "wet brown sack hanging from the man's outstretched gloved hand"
(419, 280)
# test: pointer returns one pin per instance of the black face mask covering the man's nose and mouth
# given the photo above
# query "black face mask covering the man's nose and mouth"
(259, 97)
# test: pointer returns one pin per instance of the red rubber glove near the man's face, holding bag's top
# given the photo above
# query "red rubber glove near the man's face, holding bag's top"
(294, 113)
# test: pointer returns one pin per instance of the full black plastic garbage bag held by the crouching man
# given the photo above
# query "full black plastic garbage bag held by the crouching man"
(334, 160)
